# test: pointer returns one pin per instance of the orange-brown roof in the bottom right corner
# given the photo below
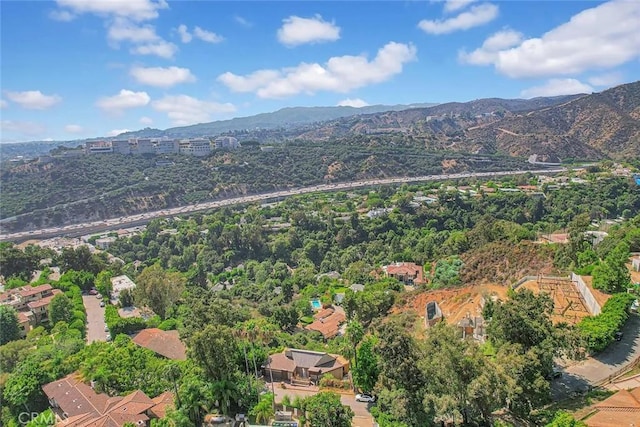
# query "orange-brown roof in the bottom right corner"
(620, 409)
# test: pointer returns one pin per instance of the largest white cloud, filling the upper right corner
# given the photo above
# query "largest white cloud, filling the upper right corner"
(602, 37)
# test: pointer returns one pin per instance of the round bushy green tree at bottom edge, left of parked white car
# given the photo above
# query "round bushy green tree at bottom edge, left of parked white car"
(324, 409)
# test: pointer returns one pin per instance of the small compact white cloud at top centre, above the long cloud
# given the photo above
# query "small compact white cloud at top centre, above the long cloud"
(296, 31)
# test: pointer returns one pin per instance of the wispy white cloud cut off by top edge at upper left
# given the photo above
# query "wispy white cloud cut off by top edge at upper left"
(136, 10)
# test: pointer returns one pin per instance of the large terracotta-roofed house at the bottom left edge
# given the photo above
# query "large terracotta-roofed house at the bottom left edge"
(77, 404)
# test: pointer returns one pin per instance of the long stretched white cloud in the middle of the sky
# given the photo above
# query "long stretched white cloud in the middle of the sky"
(339, 74)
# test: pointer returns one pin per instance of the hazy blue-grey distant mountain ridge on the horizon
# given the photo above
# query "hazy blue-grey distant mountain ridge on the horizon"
(283, 118)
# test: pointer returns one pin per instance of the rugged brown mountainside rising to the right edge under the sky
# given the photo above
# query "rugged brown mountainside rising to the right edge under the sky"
(595, 126)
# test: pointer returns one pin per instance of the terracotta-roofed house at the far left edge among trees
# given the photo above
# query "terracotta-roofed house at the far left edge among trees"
(31, 303)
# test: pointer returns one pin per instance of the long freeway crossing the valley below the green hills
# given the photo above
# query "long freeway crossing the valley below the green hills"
(143, 218)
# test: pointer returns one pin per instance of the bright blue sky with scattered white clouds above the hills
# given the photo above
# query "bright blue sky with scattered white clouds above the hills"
(73, 69)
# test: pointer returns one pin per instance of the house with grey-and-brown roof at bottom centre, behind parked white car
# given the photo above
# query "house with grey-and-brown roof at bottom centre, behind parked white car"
(304, 366)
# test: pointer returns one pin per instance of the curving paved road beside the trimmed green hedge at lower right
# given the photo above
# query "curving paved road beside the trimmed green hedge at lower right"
(600, 368)
